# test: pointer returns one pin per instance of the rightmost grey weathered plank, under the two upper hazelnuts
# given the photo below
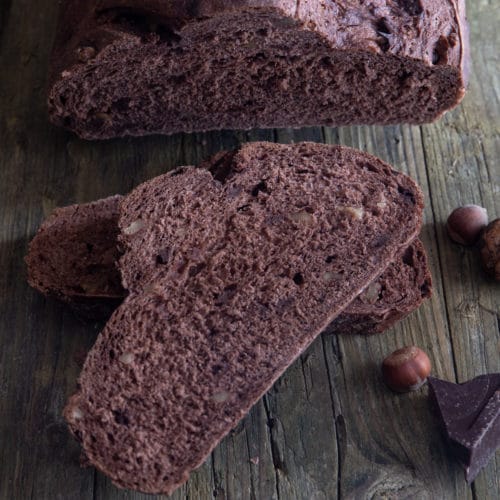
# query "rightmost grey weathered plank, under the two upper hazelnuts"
(468, 140)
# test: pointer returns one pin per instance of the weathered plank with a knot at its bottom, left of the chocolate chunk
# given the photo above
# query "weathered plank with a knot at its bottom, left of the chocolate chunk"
(390, 439)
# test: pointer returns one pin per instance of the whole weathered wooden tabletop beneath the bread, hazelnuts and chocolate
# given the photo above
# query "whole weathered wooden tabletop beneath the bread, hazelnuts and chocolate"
(329, 428)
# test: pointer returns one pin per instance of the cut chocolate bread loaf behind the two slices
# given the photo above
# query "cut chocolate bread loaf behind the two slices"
(137, 67)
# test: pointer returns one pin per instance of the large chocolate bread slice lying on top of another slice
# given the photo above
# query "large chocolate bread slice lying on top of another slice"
(232, 271)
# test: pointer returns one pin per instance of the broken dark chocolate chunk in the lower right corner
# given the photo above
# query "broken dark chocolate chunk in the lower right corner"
(470, 414)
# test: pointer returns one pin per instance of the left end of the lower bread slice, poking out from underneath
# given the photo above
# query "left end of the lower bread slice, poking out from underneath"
(73, 257)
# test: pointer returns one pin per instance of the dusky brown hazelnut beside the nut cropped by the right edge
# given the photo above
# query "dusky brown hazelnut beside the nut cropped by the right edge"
(465, 224)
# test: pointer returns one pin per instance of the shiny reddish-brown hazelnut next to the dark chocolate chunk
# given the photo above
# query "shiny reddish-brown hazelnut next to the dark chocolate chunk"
(406, 369)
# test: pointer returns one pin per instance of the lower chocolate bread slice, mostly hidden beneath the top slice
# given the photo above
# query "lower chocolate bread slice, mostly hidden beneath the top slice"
(72, 237)
